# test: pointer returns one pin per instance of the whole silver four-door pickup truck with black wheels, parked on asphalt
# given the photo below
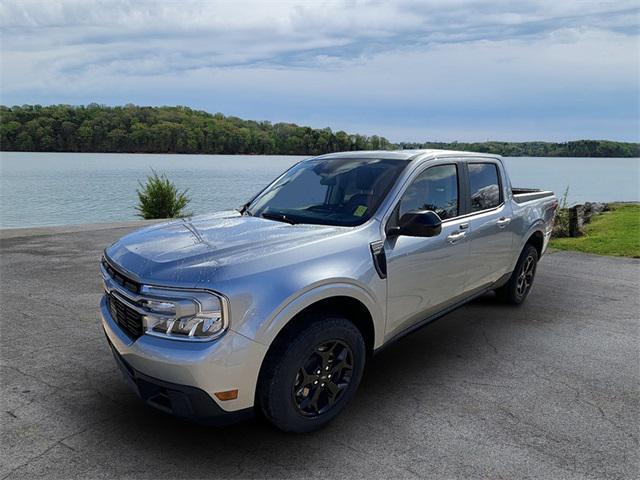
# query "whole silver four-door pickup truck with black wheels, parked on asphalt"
(276, 307)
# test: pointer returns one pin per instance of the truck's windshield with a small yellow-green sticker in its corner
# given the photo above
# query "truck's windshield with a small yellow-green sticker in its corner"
(338, 191)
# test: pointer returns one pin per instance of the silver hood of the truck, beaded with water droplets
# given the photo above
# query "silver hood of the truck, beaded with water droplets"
(178, 252)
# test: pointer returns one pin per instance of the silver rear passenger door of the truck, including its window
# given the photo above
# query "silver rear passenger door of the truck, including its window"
(490, 224)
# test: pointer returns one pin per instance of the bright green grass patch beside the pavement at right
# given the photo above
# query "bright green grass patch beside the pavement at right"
(612, 233)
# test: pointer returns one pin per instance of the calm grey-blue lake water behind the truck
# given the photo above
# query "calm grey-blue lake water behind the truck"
(39, 189)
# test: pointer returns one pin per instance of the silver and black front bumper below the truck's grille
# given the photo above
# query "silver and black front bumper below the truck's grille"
(182, 377)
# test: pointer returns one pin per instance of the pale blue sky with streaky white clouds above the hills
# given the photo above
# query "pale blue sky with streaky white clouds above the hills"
(407, 69)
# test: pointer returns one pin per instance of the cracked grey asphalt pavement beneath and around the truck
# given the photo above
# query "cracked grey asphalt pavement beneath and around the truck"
(548, 390)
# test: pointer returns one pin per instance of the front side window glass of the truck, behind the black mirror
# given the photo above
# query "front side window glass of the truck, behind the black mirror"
(434, 189)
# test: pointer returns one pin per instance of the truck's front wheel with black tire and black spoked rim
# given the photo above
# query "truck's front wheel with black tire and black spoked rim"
(311, 373)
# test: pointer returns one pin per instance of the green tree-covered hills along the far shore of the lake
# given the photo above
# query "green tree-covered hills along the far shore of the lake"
(135, 129)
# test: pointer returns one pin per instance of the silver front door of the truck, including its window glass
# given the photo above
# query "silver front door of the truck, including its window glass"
(425, 275)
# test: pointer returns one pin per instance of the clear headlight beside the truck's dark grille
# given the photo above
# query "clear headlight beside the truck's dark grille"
(183, 314)
